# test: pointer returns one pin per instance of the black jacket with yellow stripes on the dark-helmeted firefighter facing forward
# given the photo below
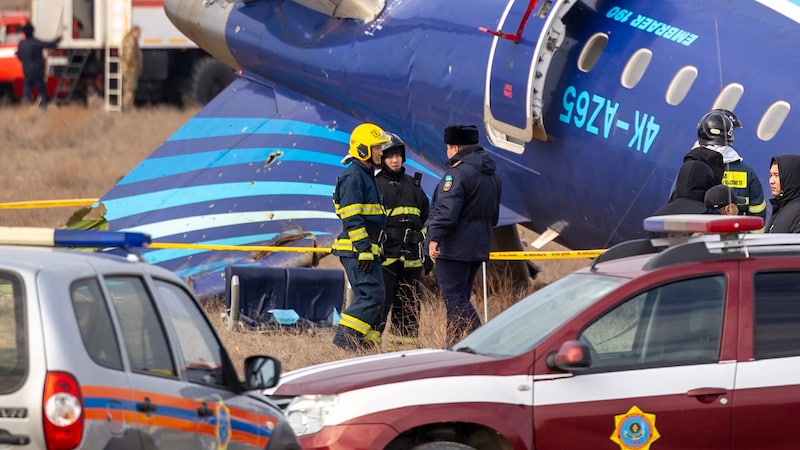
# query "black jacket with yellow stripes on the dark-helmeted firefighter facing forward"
(407, 210)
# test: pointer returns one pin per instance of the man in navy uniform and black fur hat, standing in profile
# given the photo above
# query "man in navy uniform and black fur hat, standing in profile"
(465, 208)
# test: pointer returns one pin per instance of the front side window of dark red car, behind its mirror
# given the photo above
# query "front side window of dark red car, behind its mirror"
(677, 323)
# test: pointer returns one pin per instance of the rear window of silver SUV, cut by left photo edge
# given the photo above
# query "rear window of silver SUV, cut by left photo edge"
(13, 346)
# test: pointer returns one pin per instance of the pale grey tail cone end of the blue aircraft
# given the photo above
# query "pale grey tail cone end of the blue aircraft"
(204, 22)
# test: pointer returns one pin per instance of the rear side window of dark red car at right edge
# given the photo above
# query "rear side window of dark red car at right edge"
(776, 321)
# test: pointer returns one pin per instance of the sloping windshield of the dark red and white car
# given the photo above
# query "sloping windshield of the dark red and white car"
(523, 325)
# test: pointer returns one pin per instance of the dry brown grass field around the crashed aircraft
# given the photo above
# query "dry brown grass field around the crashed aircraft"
(77, 152)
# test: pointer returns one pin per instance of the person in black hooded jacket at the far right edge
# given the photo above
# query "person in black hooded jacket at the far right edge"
(784, 184)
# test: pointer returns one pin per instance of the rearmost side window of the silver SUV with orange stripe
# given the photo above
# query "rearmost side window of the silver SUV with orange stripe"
(94, 322)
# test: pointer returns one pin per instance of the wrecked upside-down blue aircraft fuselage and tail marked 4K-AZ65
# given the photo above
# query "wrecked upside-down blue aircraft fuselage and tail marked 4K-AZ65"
(587, 106)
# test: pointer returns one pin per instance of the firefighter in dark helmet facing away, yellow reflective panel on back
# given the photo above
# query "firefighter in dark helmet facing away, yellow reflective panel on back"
(715, 131)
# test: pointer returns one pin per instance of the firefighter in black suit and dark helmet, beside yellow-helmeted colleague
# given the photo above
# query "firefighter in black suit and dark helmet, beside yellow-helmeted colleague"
(406, 210)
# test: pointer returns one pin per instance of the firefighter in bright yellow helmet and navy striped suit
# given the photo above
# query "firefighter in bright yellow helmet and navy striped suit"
(357, 201)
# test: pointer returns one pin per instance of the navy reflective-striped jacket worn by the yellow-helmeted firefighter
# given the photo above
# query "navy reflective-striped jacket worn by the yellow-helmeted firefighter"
(357, 201)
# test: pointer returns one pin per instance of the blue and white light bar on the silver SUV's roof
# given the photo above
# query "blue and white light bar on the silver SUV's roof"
(51, 237)
